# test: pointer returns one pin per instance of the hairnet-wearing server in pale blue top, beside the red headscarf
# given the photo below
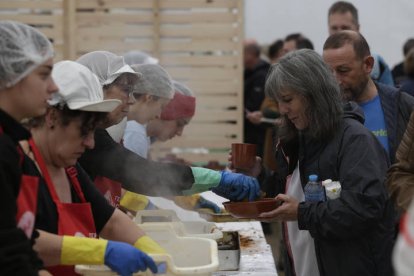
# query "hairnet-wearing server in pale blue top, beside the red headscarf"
(154, 90)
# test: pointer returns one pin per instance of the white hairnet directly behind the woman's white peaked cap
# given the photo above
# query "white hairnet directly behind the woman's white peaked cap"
(105, 65)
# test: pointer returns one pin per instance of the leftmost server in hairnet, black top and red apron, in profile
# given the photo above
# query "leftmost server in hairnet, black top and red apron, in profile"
(25, 86)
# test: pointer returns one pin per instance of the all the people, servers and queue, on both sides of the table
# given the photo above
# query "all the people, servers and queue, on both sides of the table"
(75, 138)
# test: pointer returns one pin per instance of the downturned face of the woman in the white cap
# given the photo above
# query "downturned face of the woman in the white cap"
(67, 143)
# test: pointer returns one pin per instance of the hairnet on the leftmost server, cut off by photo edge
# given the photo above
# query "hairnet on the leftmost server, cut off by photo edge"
(22, 49)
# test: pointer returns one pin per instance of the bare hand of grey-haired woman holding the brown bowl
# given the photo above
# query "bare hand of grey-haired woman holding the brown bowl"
(287, 211)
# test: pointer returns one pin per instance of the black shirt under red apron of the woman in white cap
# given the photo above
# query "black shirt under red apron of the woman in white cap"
(47, 217)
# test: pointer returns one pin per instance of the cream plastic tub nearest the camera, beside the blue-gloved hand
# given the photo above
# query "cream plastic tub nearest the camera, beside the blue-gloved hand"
(186, 255)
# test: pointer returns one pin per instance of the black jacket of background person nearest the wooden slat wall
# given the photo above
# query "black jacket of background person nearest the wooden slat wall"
(254, 83)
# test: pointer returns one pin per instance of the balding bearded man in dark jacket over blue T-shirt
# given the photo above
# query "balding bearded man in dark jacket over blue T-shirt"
(386, 110)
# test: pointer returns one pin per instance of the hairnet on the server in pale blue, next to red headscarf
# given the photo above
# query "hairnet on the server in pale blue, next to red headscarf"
(154, 81)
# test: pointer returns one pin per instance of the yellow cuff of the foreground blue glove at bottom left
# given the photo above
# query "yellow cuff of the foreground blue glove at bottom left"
(80, 250)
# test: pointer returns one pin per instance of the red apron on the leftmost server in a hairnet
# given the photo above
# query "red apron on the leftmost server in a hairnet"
(27, 199)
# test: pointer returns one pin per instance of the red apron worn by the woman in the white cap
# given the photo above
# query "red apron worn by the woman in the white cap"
(74, 219)
